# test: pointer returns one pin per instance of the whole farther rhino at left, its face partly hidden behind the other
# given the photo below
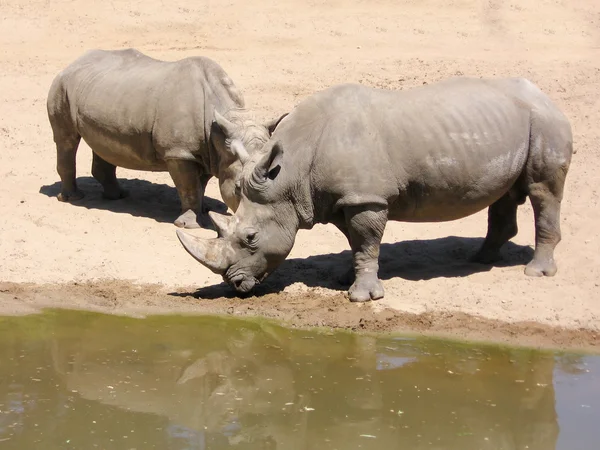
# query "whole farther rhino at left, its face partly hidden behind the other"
(185, 117)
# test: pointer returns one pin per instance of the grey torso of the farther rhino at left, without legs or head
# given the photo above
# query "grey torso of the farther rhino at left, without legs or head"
(134, 110)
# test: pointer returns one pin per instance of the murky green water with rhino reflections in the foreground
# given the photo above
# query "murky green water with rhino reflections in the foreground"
(73, 380)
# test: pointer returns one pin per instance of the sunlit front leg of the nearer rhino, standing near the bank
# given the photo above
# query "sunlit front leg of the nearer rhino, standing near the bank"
(365, 224)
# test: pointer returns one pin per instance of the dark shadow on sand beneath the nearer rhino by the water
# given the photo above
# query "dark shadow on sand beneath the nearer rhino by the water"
(415, 260)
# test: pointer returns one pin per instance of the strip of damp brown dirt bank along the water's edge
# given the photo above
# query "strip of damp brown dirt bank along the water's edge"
(312, 309)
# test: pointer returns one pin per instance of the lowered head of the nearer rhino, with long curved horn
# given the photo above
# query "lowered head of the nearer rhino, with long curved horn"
(258, 237)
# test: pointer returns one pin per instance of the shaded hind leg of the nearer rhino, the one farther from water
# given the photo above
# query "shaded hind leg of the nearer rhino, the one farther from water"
(502, 226)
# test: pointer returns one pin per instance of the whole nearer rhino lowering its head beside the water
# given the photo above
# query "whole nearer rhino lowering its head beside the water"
(357, 157)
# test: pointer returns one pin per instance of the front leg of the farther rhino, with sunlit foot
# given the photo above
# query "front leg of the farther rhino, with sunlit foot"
(190, 186)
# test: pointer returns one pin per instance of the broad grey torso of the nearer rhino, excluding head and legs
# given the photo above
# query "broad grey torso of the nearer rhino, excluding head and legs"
(434, 153)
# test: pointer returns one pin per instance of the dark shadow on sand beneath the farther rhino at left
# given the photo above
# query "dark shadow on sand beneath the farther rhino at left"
(152, 200)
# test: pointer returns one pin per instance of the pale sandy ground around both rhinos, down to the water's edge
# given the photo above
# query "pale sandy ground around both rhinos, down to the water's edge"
(277, 53)
